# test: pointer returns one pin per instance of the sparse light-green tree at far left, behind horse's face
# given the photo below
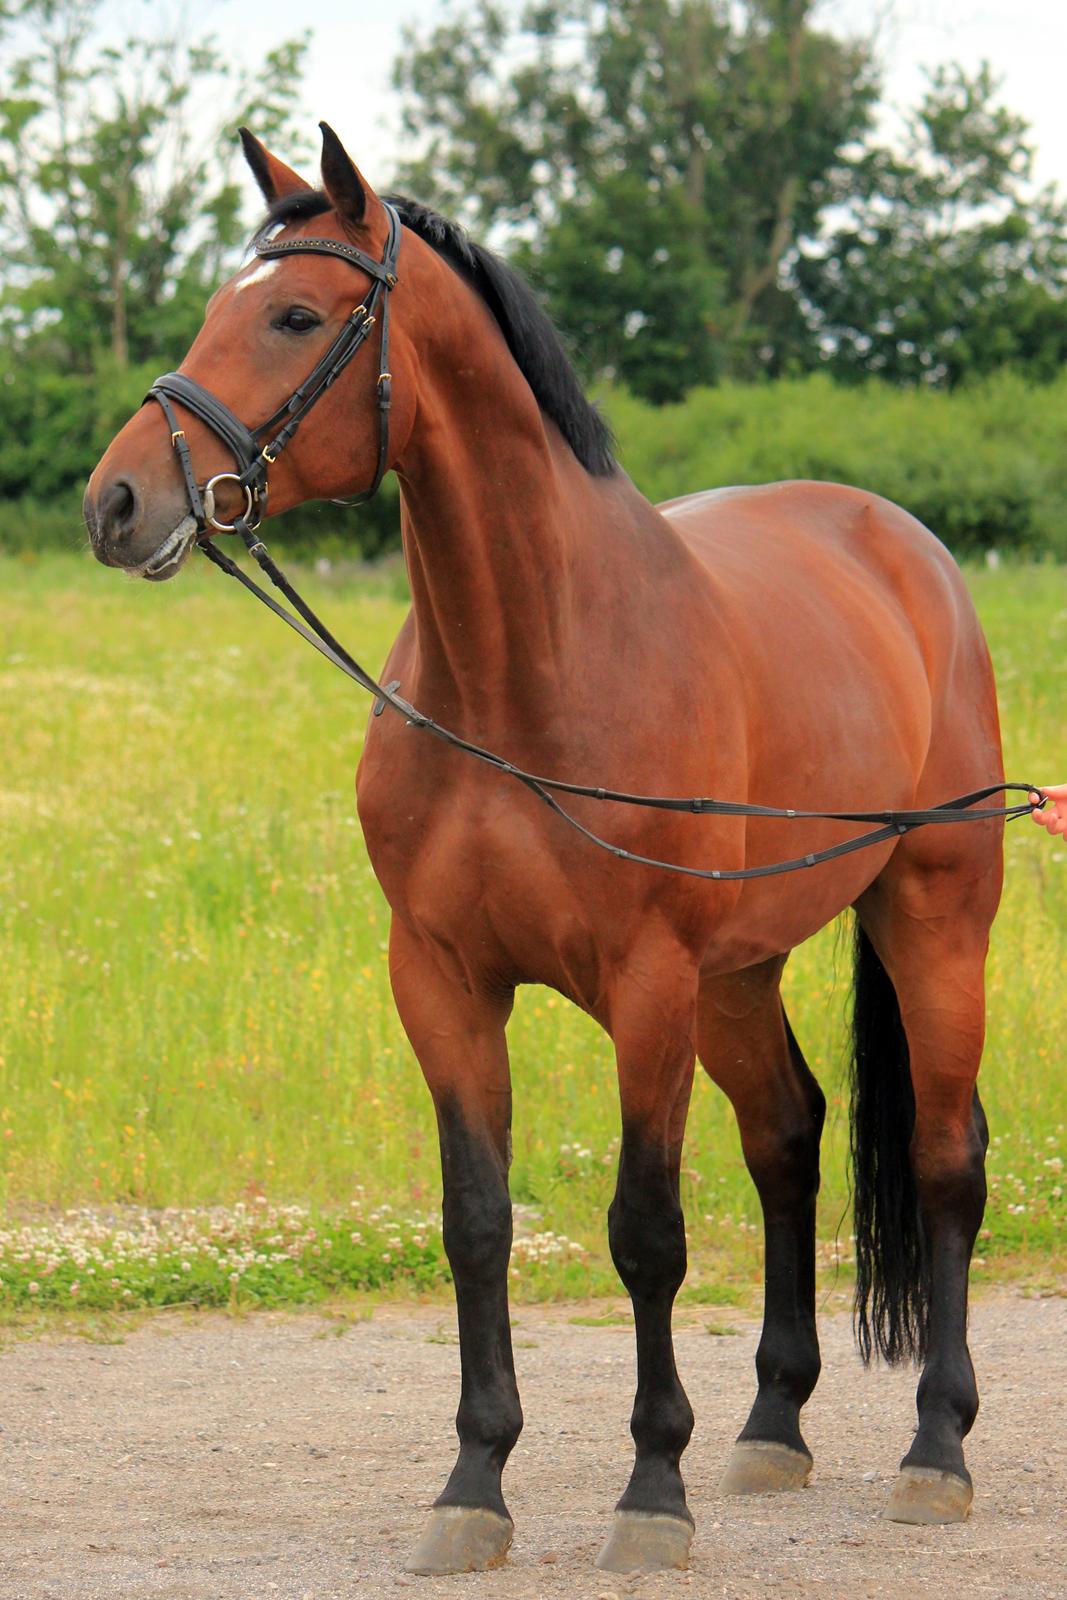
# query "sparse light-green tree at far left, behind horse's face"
(119, 206)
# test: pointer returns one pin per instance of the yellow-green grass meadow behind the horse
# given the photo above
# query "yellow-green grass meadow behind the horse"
(194, 1006)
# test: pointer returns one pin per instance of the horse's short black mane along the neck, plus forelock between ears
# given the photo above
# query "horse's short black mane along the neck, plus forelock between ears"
(529, 332)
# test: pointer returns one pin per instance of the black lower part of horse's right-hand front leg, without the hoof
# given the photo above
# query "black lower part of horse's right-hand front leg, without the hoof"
(647, 1236)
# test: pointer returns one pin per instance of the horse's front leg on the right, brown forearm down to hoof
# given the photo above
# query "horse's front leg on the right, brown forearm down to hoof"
(652, 1023)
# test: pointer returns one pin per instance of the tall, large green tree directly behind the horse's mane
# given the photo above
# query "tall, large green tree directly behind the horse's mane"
(650, 162)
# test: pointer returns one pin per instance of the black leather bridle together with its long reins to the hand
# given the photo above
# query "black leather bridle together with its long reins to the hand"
(255, 458)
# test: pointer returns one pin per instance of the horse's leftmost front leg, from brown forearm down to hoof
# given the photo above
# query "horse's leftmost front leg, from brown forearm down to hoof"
(460, 1041)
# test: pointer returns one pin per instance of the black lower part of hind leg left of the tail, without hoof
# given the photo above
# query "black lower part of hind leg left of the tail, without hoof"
(786, 1174)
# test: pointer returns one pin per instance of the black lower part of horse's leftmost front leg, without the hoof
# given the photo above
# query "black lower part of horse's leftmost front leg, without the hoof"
(478, 1228)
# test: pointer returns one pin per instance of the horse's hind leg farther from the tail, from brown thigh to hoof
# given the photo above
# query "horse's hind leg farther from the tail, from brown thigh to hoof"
(749, 1049)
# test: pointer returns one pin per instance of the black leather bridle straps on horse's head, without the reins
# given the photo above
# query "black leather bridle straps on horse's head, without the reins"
(250, 452)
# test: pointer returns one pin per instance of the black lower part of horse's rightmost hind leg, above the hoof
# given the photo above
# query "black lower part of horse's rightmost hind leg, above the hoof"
(953, 1206)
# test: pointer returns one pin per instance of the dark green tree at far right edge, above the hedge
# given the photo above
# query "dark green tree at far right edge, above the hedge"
(949, 263)
